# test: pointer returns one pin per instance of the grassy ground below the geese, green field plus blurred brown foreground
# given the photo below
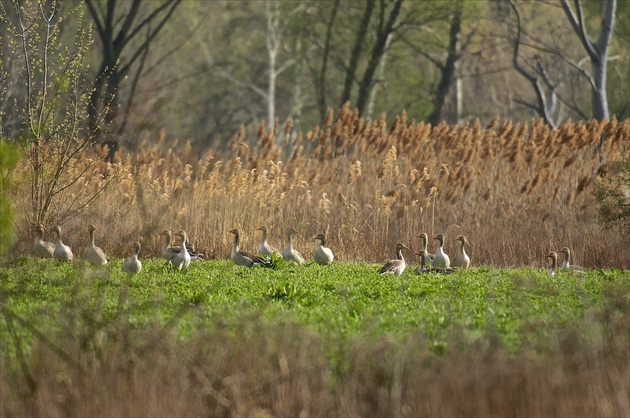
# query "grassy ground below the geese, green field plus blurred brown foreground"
(311, 340)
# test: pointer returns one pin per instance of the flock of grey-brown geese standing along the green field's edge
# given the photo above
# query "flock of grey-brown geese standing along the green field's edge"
(182, 255)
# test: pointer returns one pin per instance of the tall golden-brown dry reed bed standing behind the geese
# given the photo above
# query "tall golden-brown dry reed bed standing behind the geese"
(515, 190)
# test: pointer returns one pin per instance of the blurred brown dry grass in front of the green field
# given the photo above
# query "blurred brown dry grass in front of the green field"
(237, 370)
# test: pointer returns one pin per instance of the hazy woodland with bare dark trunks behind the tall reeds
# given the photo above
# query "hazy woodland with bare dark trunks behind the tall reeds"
(200, 69)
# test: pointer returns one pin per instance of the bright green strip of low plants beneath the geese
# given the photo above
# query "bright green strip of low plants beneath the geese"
(524, 307)
